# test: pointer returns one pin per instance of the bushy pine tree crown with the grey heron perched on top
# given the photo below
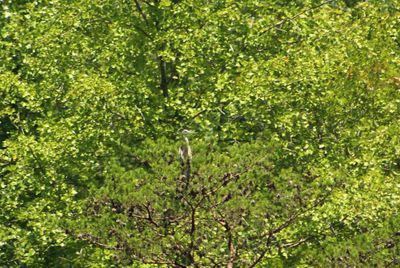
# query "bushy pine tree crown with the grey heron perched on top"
(237, 202)
